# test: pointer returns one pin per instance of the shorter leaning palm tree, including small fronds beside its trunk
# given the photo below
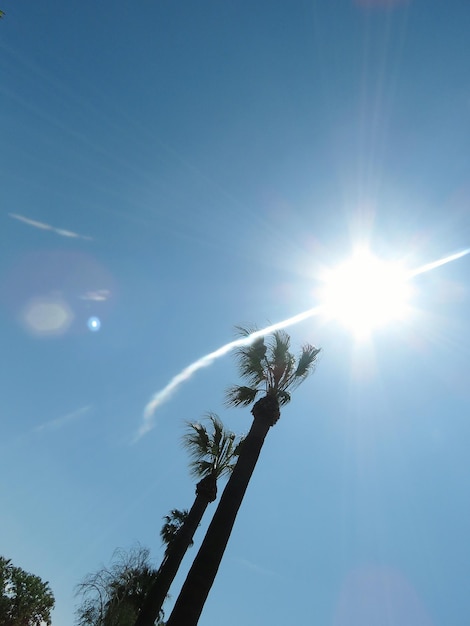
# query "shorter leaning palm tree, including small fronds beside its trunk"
(213, 452)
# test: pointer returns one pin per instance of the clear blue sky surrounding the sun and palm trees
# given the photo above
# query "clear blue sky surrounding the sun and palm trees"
(177, 168)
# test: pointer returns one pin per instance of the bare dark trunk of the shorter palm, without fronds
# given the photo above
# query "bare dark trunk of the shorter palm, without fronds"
(206, 492)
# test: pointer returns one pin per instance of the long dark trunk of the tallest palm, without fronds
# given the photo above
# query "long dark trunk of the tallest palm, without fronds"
(190, 602)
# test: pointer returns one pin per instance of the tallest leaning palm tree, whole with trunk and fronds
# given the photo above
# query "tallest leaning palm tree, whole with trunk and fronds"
(272, 371)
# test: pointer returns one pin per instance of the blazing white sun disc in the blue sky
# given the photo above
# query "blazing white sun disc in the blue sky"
(365, 293)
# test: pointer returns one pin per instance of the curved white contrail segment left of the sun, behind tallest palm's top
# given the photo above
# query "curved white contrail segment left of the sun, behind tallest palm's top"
(162, 396)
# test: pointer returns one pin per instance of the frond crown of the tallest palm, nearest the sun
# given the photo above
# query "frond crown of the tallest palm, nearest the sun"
(270, 368)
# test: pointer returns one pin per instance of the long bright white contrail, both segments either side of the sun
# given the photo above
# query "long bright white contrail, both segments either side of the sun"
(164, 394)
